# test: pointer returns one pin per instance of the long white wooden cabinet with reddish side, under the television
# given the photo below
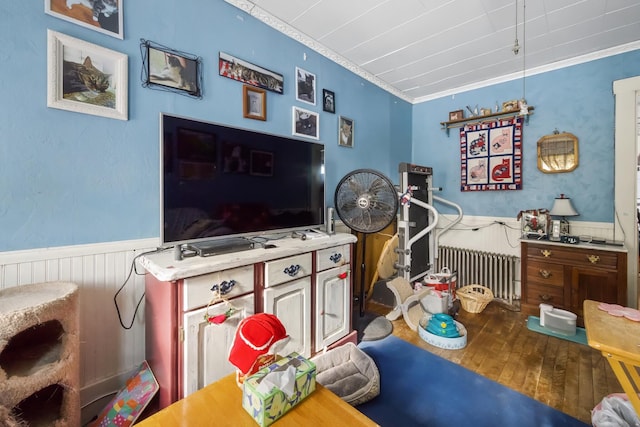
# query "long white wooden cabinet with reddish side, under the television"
(302, 282)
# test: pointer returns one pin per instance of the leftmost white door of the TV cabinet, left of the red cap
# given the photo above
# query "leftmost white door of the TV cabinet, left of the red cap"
(206, 345)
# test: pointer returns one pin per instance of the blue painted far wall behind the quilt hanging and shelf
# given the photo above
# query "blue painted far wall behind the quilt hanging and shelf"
(577, 99)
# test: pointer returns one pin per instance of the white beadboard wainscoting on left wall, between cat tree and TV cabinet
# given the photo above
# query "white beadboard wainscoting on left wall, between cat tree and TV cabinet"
(108, 352)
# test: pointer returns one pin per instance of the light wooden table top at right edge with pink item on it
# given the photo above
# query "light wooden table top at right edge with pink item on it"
(611, 334)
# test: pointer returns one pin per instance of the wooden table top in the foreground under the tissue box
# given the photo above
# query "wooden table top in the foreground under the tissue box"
(220, 404)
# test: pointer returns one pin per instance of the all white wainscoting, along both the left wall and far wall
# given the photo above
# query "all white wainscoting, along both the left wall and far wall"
(109, 352)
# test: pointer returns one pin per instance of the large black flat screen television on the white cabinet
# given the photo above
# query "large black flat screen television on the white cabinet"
(219, 182)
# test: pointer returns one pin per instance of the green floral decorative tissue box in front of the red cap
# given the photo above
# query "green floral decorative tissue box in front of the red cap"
(267, 404)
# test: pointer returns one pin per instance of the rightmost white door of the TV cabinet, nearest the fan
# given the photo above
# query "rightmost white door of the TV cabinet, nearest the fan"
(333, 291)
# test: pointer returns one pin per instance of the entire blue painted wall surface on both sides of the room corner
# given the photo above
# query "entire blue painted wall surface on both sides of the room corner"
(69, 178)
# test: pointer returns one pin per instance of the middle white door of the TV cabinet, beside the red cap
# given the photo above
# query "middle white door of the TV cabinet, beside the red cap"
(291, 303)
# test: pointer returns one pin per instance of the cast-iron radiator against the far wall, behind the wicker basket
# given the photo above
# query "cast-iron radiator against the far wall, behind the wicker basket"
(495, 271)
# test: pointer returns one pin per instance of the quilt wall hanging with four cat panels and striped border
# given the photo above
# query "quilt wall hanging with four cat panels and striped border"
(491, 155)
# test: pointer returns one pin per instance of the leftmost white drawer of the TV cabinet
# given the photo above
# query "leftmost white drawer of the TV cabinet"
(232, 282)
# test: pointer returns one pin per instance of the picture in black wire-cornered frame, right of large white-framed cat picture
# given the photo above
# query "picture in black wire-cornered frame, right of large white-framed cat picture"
(167, 69)
